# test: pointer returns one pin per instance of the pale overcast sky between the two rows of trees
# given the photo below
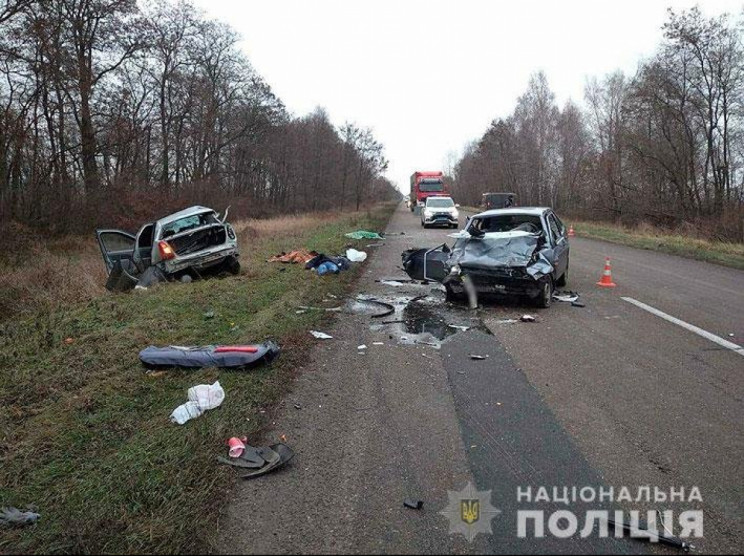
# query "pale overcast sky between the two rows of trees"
(428, 76)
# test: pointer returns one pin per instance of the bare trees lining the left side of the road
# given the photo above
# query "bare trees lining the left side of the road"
(112, 110)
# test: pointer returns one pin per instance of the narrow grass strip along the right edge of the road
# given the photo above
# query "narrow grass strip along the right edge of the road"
(726, 254)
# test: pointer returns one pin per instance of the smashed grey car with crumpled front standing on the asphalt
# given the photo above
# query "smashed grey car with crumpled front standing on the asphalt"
(514, 252)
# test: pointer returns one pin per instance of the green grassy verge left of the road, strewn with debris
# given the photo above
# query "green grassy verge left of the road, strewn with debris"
(85, 432)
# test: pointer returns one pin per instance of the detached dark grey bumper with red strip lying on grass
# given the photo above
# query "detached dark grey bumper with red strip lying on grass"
(225, 357)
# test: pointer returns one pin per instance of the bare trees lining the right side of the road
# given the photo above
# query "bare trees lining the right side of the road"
(665, 145)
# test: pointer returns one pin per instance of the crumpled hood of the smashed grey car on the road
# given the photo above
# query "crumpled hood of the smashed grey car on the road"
(499, 250)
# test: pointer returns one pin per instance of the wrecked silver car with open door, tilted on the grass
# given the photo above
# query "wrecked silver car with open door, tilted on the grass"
(188, 242)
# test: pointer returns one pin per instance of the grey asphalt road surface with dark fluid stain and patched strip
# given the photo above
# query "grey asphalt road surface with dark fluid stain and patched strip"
(606, 395)
